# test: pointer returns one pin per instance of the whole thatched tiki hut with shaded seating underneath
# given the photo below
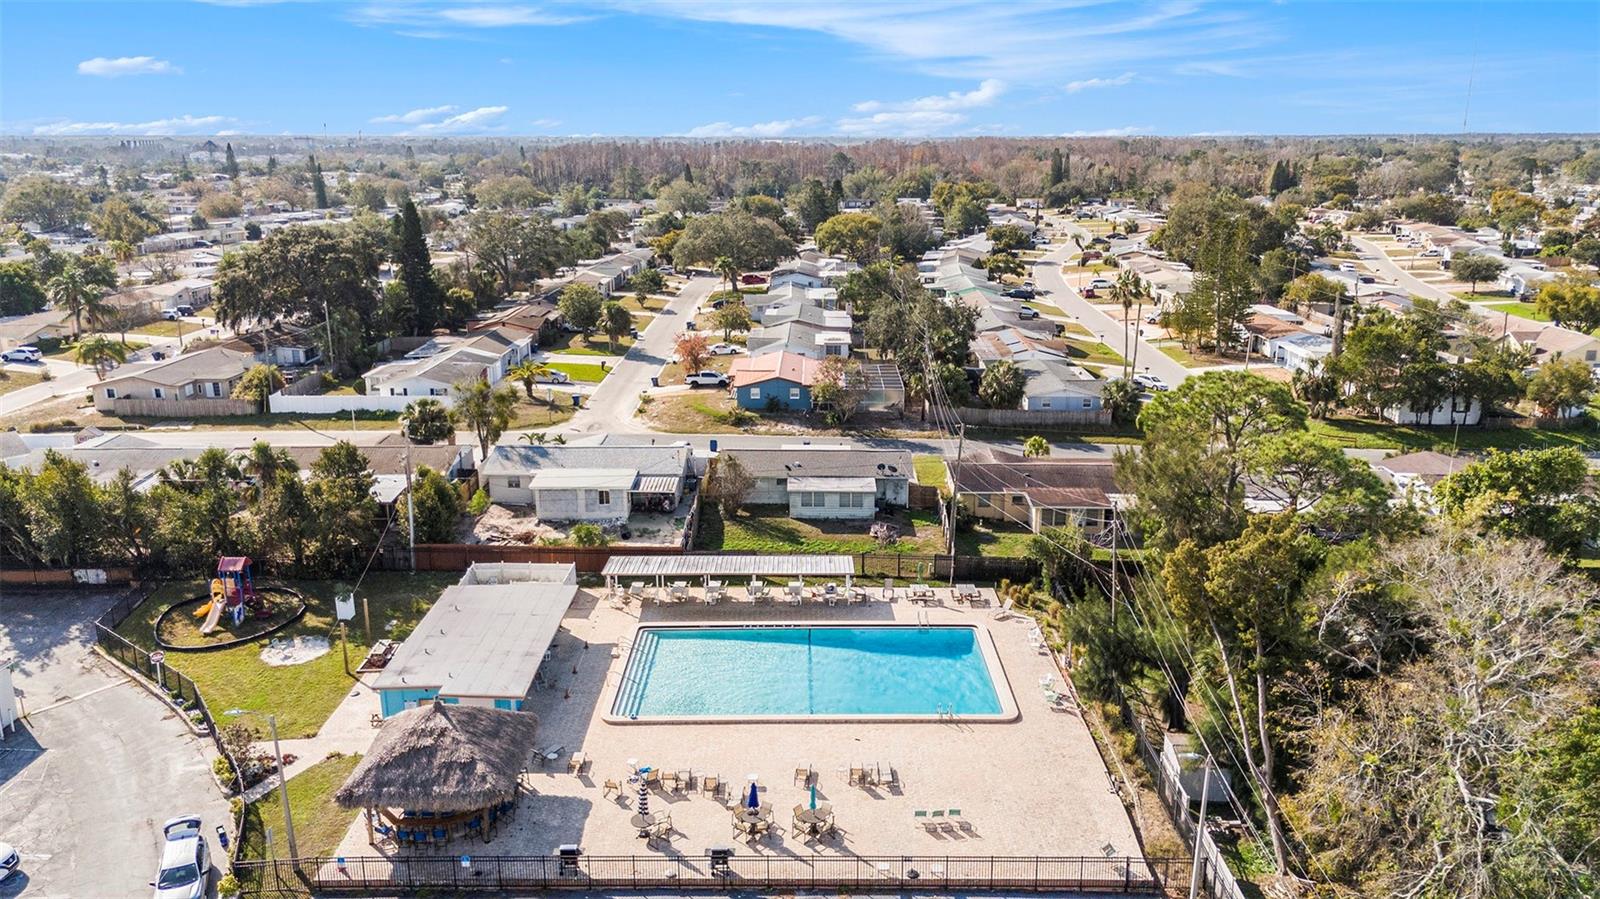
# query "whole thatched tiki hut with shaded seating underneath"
(441, 772)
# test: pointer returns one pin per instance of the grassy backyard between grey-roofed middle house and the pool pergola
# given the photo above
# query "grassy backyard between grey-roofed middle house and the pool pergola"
(770, 530)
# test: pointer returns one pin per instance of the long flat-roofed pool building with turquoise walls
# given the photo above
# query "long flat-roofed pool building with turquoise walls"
(484, 641)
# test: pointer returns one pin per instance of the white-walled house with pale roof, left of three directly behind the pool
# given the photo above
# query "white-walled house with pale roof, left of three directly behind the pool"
(588, 484)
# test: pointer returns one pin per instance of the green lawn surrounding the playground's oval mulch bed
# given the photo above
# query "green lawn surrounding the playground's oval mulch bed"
(305, 695)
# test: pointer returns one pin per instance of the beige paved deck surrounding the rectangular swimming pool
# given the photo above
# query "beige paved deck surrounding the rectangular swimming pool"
(1033, 786)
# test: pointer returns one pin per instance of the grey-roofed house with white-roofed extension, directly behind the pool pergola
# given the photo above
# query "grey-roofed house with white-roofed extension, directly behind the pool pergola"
(828, 482)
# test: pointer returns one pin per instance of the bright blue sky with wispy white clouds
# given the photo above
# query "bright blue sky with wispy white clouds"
(839, 68)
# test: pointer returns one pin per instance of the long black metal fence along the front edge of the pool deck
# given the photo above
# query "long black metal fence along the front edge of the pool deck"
(842, 874)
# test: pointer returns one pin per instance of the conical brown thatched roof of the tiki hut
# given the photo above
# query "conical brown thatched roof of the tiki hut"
(442, 757)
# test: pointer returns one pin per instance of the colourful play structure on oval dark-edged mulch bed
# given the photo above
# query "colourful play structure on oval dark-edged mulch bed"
(234, 612)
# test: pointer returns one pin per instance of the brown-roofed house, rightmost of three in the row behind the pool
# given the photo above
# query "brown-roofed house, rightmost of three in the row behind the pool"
(1004, 489)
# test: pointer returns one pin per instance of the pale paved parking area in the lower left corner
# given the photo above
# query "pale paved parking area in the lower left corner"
(100, 764)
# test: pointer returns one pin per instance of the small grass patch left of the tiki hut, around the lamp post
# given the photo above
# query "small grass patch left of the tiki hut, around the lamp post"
(319, 821)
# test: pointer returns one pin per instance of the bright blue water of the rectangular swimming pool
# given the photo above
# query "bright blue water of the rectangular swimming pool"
(806, 671)
